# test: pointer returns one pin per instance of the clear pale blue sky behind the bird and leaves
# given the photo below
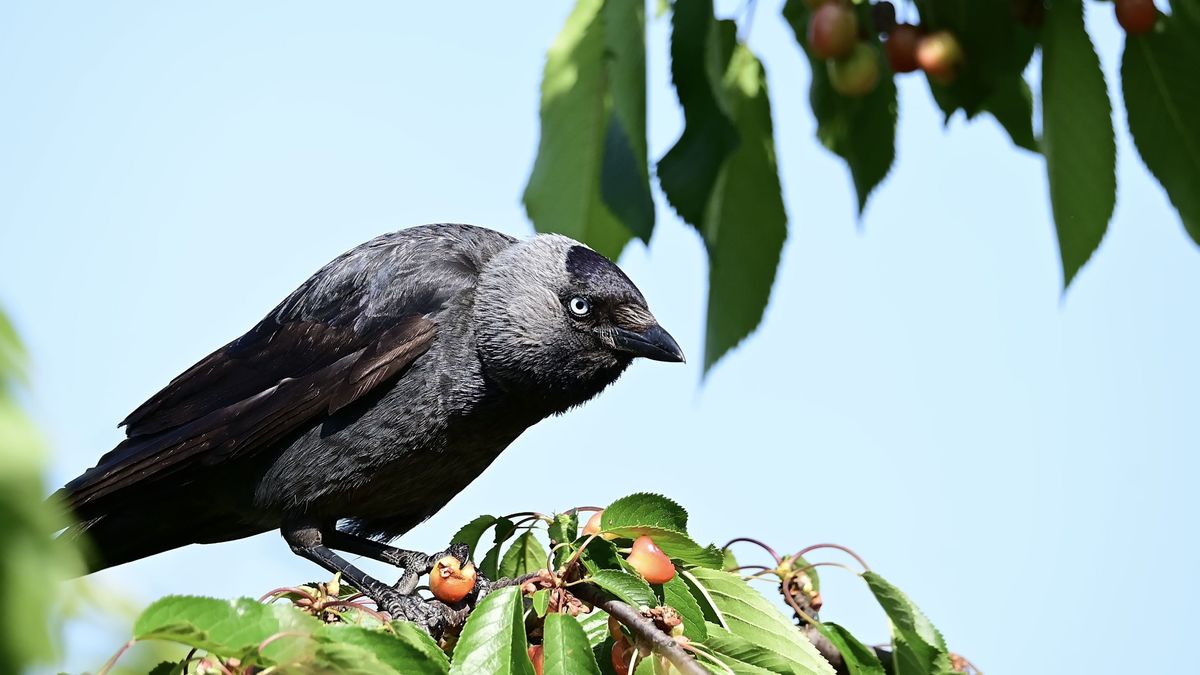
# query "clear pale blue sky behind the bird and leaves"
(1019, 461)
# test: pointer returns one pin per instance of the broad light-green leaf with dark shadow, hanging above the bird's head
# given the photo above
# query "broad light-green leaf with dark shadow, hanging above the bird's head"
(591, 178)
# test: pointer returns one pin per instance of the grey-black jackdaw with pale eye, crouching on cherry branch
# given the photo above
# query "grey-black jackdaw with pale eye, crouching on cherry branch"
(367, 401)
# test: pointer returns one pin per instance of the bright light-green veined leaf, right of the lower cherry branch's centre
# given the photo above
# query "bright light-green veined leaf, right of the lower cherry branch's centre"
(749, 616)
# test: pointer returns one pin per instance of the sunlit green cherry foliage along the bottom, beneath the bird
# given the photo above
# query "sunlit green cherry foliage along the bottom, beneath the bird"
(716, 616)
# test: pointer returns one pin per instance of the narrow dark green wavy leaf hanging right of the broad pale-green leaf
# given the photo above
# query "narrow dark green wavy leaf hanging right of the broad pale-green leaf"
(689, 171)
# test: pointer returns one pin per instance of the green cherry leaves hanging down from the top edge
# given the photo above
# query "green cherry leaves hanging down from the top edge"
(722, 175)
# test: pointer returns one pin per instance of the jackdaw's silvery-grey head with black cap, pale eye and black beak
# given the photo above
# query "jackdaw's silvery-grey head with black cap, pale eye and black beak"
(557, 320)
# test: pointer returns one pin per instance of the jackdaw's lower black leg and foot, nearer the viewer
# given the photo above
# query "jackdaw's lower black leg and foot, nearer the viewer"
(308, 541)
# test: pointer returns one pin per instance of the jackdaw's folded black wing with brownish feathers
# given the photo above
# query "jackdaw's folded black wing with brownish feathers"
(358, 322)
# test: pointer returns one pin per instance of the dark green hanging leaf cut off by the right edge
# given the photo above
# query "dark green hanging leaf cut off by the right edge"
(1162, 95)
